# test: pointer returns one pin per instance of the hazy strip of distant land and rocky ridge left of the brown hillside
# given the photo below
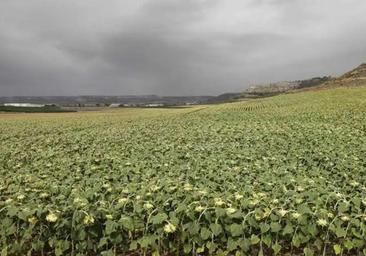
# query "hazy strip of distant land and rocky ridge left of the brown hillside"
(86, 102)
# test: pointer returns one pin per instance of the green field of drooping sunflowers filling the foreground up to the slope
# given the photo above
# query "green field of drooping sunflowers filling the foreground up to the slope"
(278, 175)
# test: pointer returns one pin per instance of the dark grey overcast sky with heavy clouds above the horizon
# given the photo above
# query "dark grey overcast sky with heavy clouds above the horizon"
(173, 47)
